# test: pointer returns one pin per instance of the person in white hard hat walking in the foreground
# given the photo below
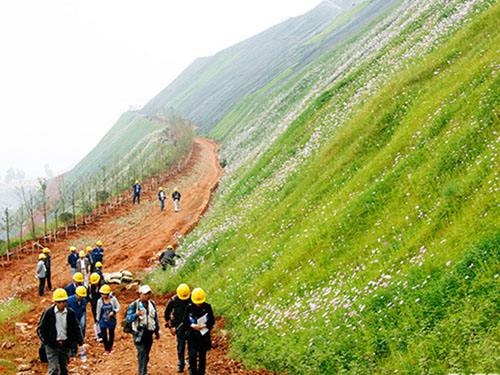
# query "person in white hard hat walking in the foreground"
(143, 316)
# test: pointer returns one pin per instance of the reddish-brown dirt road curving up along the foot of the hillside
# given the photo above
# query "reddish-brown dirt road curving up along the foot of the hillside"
(133, 236)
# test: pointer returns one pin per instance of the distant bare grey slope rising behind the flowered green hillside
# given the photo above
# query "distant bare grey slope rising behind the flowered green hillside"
(207, 90)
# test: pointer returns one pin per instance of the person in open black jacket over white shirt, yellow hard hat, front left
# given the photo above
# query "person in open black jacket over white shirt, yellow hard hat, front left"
(59, 330)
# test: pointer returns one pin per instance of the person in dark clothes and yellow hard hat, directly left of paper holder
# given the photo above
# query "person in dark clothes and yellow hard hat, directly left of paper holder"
(174, 318)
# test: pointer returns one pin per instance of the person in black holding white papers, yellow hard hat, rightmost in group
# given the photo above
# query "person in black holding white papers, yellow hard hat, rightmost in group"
(198, 320)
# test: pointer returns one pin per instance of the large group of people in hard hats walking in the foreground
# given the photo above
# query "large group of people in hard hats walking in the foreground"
(62, 326)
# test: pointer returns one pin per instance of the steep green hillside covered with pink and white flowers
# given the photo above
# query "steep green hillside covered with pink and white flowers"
(357, 228)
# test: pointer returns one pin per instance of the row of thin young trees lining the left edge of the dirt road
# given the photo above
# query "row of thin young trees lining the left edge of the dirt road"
(44, 215)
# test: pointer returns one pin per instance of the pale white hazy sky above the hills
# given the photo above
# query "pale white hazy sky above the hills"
(69, 68)
